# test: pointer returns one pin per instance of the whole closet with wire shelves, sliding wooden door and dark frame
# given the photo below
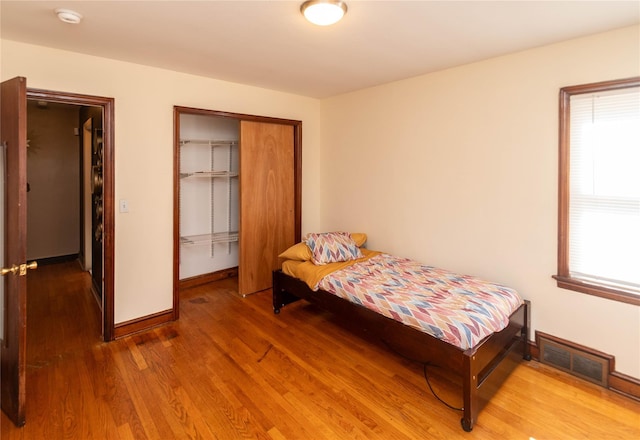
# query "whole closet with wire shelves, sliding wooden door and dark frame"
(237, 191)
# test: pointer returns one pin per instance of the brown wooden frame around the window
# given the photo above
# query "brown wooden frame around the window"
(563, 277)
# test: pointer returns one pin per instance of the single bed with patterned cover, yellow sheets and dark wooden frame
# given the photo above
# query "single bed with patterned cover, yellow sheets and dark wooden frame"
(483, 358)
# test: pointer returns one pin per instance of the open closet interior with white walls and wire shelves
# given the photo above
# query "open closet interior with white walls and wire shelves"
(208, 198)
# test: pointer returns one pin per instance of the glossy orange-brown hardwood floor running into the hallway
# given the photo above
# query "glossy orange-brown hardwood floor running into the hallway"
(230, 368)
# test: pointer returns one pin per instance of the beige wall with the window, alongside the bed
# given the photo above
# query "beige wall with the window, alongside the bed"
(459, 169)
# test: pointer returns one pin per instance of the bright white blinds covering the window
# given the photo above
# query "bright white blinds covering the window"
(604, 199)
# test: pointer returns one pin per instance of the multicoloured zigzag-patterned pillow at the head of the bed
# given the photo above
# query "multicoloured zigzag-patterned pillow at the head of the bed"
(332, 247)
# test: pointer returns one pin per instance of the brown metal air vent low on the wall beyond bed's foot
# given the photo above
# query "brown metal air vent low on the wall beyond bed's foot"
(574, 359)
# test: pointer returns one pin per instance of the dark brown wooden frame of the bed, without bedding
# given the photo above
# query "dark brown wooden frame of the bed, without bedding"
(483, 368)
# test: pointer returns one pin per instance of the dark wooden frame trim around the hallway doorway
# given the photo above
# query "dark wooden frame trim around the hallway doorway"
(108, 174)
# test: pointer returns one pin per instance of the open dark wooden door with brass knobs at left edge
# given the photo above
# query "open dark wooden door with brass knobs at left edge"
(13, 137)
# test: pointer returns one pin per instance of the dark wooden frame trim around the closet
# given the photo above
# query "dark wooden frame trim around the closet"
(297, 176)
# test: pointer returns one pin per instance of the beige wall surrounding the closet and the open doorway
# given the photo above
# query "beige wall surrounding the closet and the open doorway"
(144, 100)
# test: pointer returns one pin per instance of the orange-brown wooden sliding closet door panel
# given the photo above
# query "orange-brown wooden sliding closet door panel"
(267, 201)
